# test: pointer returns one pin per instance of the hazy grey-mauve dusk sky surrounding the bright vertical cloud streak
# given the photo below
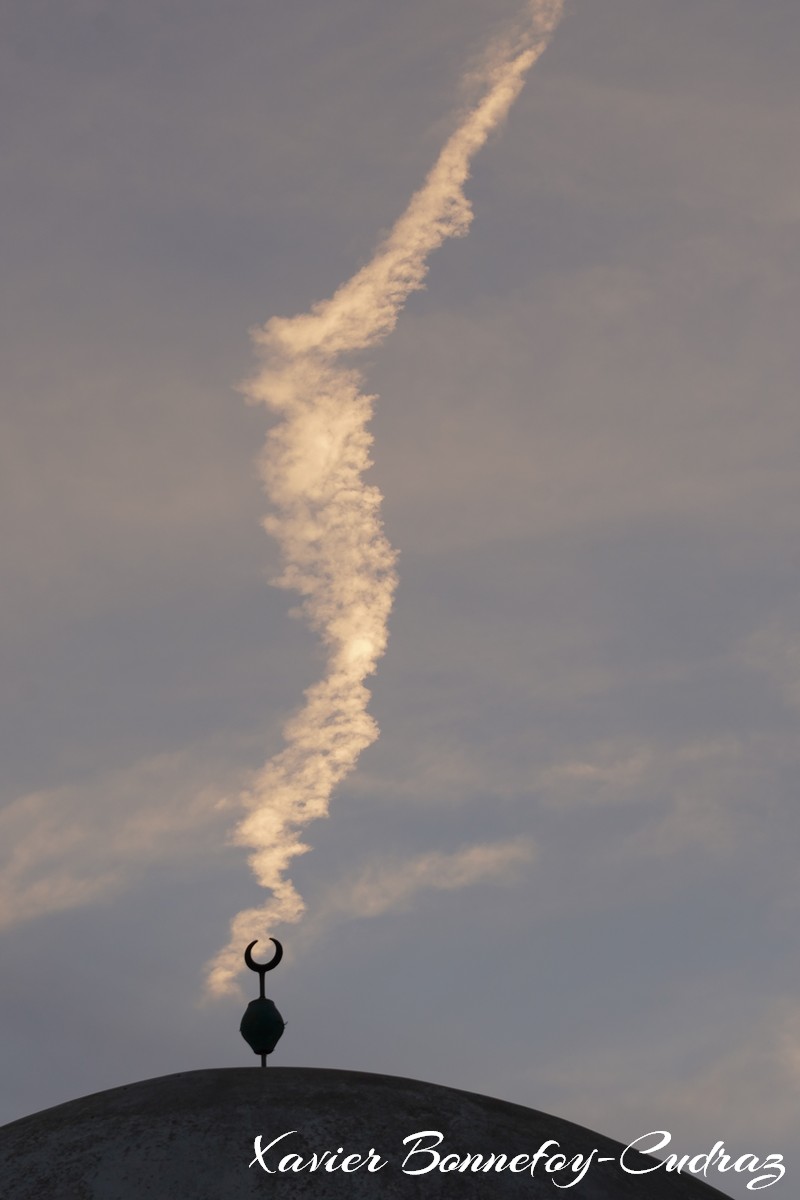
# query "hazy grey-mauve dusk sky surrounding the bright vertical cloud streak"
(566, 873)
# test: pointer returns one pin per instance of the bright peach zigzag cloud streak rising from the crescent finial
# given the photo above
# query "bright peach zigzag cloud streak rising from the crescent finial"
(326, 517)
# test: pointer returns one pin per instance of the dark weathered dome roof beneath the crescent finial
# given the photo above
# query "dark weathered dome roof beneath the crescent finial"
(191, 1137)
